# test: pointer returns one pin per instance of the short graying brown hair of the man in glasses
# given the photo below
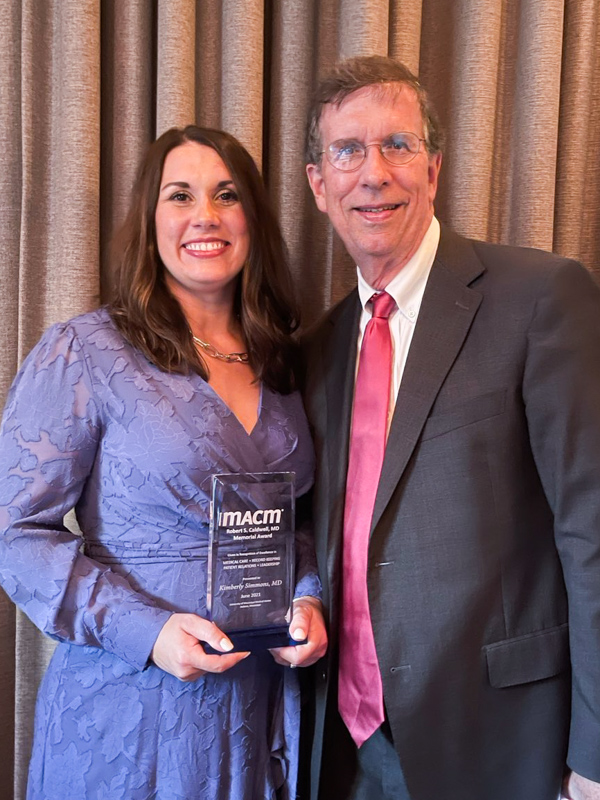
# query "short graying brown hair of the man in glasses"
(356, 73)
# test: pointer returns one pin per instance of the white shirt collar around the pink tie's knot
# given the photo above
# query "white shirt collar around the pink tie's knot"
(408, 285)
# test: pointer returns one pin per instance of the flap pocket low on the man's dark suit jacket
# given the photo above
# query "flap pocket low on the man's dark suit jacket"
(524, 659)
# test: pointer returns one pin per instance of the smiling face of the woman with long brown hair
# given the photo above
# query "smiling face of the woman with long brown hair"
(201, 230)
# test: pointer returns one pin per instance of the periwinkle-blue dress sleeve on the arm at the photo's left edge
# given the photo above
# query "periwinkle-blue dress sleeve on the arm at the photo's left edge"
(50, 433)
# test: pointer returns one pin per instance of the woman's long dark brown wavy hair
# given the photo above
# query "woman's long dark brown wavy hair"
(150, 317)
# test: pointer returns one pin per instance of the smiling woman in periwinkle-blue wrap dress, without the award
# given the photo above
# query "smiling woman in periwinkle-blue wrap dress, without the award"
(124, 414)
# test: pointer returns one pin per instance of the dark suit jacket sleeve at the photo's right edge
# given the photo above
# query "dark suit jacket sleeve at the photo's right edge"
(561, 391)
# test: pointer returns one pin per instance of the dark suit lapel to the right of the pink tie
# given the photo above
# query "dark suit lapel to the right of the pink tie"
(447, 311)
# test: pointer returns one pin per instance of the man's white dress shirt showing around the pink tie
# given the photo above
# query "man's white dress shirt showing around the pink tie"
(407, 289)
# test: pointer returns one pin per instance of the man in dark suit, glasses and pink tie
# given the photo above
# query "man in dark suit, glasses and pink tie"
(457, 427)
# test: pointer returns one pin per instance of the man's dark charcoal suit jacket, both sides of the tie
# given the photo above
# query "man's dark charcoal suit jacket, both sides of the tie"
(484, 559)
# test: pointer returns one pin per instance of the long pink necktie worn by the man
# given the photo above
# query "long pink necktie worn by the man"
(360, 694)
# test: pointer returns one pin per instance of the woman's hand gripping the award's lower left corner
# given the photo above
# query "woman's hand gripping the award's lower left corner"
(178, 648)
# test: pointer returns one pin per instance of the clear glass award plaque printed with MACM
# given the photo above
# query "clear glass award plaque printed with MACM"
(251, 558)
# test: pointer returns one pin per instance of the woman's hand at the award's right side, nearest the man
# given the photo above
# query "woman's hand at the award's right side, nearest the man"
(307, 623)
